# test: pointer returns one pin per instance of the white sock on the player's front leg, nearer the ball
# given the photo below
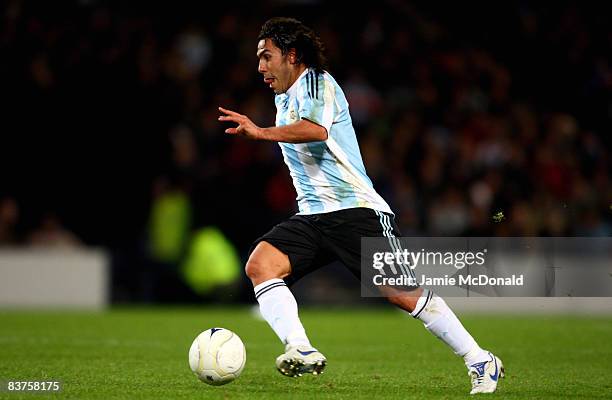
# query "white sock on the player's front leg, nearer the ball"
(279, 308)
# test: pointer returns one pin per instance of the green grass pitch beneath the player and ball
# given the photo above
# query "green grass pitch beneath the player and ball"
(373, 354)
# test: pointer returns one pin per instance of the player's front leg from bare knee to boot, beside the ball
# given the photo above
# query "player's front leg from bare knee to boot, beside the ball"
(266, 267)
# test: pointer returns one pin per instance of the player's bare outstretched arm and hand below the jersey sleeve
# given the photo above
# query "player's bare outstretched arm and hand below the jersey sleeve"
(302, 131)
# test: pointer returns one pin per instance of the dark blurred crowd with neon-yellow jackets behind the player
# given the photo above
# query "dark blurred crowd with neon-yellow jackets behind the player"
(474, 119)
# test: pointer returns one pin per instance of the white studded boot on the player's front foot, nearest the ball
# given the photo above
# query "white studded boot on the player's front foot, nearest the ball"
(300, 360)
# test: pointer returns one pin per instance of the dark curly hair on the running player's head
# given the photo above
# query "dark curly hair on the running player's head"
(288, 33)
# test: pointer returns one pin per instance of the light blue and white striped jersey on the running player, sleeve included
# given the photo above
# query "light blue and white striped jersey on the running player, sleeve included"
(328, 175)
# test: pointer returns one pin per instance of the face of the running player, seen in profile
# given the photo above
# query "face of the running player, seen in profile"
(275, 67)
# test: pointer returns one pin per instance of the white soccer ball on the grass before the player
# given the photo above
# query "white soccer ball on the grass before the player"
(217, 356)
